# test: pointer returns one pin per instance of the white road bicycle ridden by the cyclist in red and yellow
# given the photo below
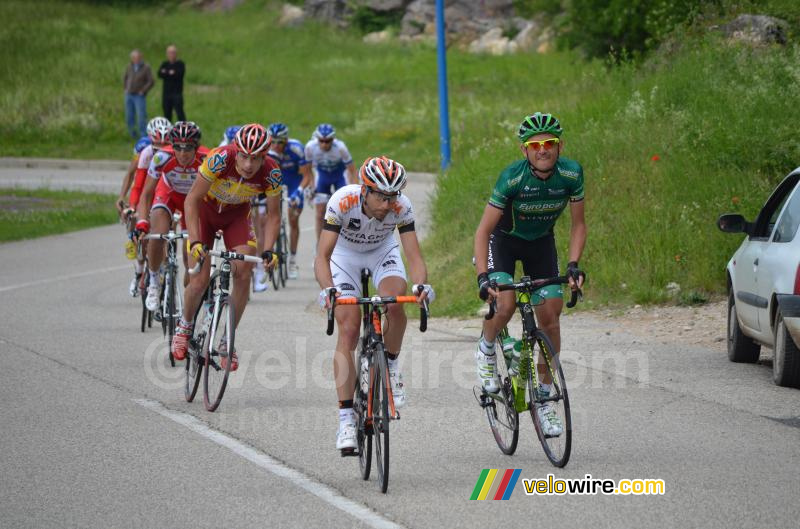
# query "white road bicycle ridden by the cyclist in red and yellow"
(214, 331)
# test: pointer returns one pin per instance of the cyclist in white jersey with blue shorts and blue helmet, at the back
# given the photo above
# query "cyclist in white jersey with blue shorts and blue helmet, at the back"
(330, 160)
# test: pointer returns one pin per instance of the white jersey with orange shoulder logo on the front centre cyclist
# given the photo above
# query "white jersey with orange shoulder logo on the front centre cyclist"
(345, 215)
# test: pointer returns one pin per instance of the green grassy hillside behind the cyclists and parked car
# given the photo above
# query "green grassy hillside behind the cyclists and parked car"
(701, 127)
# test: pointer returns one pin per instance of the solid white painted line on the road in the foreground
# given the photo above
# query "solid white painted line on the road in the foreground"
(297, 478)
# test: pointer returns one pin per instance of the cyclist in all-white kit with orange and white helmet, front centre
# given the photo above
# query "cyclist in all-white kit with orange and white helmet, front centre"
(359, 233)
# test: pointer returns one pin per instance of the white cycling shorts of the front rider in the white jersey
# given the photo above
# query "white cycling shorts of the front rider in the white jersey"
(382, 262)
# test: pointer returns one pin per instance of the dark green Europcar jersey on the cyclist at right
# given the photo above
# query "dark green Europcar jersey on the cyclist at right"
(530, 205)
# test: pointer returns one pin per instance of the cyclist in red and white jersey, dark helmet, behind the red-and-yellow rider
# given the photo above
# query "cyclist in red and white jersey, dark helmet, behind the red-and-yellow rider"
(171, 175)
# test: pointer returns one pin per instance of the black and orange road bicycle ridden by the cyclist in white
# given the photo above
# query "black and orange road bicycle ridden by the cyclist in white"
(373, 403)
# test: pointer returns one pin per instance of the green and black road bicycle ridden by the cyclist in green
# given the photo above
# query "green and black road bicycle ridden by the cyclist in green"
(524, 362)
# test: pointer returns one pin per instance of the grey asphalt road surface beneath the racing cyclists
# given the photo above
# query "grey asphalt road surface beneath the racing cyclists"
(95, 431)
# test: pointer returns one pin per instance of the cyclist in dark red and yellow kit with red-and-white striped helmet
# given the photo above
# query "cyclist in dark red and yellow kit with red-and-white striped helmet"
(230, 177)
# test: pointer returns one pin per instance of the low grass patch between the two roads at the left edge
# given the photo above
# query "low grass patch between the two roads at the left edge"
(25, 214)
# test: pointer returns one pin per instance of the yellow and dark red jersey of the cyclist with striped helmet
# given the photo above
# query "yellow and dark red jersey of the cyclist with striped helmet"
(228, 187)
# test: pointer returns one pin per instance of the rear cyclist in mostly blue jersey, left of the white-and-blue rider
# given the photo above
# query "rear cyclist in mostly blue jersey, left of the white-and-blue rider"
(296, 172)
